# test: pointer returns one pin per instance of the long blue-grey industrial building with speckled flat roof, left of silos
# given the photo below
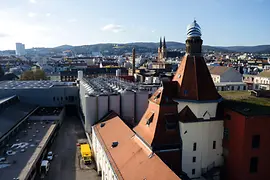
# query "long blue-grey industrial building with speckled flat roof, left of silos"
(42, 93)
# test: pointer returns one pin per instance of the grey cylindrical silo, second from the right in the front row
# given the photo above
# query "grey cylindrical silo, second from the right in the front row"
(127, 106)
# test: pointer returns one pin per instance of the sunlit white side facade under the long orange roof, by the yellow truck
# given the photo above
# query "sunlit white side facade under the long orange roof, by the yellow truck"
(104, 167)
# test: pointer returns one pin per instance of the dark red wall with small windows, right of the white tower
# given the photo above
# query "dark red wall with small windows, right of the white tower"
(239, 146)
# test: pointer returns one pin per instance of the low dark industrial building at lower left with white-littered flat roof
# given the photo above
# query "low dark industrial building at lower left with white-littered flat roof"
(26, 133)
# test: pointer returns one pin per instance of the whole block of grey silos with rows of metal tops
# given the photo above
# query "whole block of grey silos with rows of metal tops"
(100, 95)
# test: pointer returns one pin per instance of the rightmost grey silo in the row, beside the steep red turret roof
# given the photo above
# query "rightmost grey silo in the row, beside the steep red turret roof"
(141, 104)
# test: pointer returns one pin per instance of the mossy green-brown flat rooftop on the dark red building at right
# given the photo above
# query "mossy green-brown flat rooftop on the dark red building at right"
(244, 103)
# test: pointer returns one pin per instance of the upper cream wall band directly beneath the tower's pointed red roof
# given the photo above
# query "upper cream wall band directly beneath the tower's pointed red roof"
(199, 109)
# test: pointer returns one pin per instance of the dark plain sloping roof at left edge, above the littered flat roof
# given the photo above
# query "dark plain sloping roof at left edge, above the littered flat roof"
(13, 114)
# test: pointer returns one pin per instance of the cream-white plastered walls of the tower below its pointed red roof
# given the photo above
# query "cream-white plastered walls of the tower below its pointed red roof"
(201, 140)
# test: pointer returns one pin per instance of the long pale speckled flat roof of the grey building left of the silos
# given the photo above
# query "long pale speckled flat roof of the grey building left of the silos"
(31, 84)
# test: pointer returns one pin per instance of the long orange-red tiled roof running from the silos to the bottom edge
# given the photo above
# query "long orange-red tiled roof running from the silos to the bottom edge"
(130, 159)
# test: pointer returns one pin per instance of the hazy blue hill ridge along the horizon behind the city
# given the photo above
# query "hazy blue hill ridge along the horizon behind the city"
(143, 47)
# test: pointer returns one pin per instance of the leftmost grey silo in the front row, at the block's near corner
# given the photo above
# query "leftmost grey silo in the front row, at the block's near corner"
(90, 112)
